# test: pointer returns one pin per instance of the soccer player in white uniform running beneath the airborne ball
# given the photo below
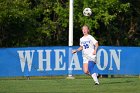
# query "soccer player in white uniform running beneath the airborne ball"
(89, 46)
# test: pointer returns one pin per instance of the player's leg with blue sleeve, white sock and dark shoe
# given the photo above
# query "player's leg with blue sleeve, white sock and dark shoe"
(91, 65)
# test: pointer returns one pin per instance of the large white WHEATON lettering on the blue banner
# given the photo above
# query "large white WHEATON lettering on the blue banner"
(106, 59)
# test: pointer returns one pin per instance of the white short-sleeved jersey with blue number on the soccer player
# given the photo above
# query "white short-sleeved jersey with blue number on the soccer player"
(87, 42)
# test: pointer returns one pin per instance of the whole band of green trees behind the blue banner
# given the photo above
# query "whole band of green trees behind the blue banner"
(37, 22)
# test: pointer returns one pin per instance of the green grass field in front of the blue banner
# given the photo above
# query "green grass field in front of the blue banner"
(107, 85)
